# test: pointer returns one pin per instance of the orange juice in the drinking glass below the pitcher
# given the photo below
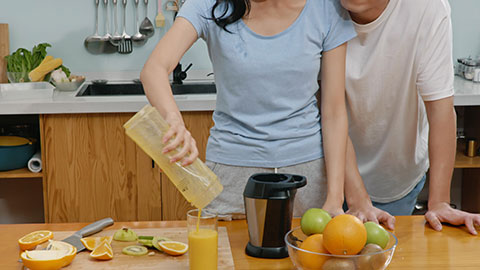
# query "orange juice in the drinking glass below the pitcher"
(203, 249)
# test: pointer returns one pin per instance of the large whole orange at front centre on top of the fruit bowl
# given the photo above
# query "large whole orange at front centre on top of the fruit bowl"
(344, 235)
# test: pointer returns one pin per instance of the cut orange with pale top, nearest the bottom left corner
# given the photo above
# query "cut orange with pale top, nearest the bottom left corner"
(47, 259)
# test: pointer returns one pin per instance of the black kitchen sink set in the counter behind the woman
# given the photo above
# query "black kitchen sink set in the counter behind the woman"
(124, 89)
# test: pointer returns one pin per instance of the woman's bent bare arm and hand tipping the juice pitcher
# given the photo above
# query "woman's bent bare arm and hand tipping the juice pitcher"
(154, 77)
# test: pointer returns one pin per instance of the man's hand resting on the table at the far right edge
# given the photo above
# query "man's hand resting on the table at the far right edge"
(442, 212)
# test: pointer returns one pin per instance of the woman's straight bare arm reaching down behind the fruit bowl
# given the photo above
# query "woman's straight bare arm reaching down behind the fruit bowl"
(334, 125)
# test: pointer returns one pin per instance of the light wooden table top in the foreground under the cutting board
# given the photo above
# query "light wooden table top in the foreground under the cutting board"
(420, 247)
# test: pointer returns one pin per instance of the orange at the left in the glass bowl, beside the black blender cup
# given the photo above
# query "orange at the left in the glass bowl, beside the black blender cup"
(313, 243)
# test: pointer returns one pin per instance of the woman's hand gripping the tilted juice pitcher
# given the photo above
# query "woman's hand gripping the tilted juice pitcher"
(179, 137)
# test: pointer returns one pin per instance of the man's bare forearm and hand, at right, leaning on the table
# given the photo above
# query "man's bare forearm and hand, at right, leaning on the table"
(442, 147)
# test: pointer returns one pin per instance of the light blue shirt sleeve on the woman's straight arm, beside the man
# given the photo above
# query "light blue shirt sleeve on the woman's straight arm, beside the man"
(341, 27)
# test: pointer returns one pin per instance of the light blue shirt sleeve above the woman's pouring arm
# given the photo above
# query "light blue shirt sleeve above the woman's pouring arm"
(198, 13)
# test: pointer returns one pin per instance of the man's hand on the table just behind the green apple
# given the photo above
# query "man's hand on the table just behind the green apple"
(367, 212)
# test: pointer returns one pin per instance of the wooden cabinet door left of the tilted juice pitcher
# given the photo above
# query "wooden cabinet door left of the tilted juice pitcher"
(93, 170)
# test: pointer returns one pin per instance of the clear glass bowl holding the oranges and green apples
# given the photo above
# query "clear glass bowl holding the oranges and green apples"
(307, 260)
